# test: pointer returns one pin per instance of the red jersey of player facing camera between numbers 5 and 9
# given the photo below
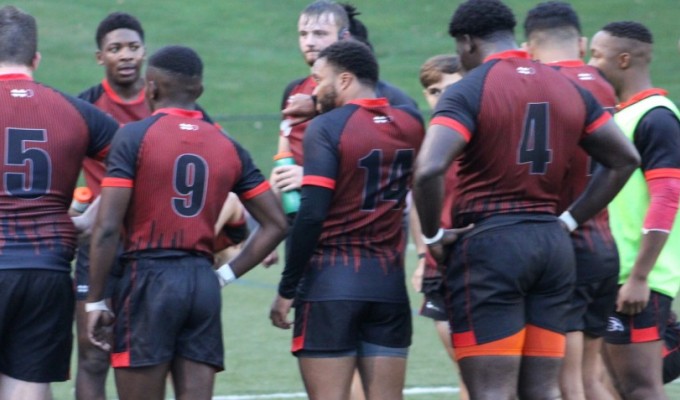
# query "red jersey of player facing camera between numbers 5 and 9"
(107, 100)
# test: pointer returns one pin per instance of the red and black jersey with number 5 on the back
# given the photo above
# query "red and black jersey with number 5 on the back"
(45, 134)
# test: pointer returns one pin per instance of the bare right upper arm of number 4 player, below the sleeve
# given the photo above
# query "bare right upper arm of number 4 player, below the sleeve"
(609, 146)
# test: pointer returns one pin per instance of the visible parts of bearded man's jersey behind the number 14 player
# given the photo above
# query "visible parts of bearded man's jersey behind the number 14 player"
(394, 96)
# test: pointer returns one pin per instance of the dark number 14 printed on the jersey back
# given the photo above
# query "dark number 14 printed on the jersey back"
(395, 187)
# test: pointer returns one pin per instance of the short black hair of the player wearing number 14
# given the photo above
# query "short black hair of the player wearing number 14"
(354, 57)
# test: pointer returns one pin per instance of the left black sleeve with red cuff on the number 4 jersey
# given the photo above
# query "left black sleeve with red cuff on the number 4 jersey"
(459, 105)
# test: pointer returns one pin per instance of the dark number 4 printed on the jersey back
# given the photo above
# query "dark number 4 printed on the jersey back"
(534, 148)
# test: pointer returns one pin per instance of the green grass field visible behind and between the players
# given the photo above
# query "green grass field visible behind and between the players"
(250, 52)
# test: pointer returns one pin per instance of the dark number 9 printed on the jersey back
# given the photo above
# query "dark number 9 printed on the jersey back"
(190, 182)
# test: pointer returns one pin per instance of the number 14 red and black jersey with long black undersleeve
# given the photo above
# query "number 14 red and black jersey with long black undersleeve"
(359, 159)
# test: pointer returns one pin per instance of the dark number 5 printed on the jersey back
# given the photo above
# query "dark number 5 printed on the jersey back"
(31, 166)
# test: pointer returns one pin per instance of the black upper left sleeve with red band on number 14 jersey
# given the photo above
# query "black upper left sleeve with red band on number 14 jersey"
(321, 154)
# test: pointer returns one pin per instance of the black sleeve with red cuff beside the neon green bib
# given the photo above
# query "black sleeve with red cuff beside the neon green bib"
(657, 138)
